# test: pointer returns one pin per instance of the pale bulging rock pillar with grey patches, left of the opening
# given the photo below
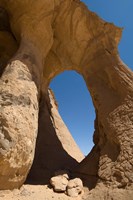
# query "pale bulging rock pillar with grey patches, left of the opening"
(19, 93)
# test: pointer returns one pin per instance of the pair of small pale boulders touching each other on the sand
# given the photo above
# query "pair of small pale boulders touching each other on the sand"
(61, 183)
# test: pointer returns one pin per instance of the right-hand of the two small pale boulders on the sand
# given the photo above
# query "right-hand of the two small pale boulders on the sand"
(74, 187)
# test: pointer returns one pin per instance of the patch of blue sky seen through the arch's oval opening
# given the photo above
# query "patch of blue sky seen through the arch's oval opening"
(75, 107)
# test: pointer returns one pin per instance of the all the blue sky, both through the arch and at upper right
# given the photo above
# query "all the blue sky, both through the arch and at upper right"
(75, 105)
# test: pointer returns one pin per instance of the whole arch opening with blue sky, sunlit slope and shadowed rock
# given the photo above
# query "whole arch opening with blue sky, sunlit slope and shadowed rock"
(58, 148)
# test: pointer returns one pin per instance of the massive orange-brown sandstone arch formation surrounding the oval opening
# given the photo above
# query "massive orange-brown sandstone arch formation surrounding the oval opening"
(38, 40)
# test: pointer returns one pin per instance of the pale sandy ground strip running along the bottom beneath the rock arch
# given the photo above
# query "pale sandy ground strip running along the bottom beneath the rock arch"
(43, 192)
